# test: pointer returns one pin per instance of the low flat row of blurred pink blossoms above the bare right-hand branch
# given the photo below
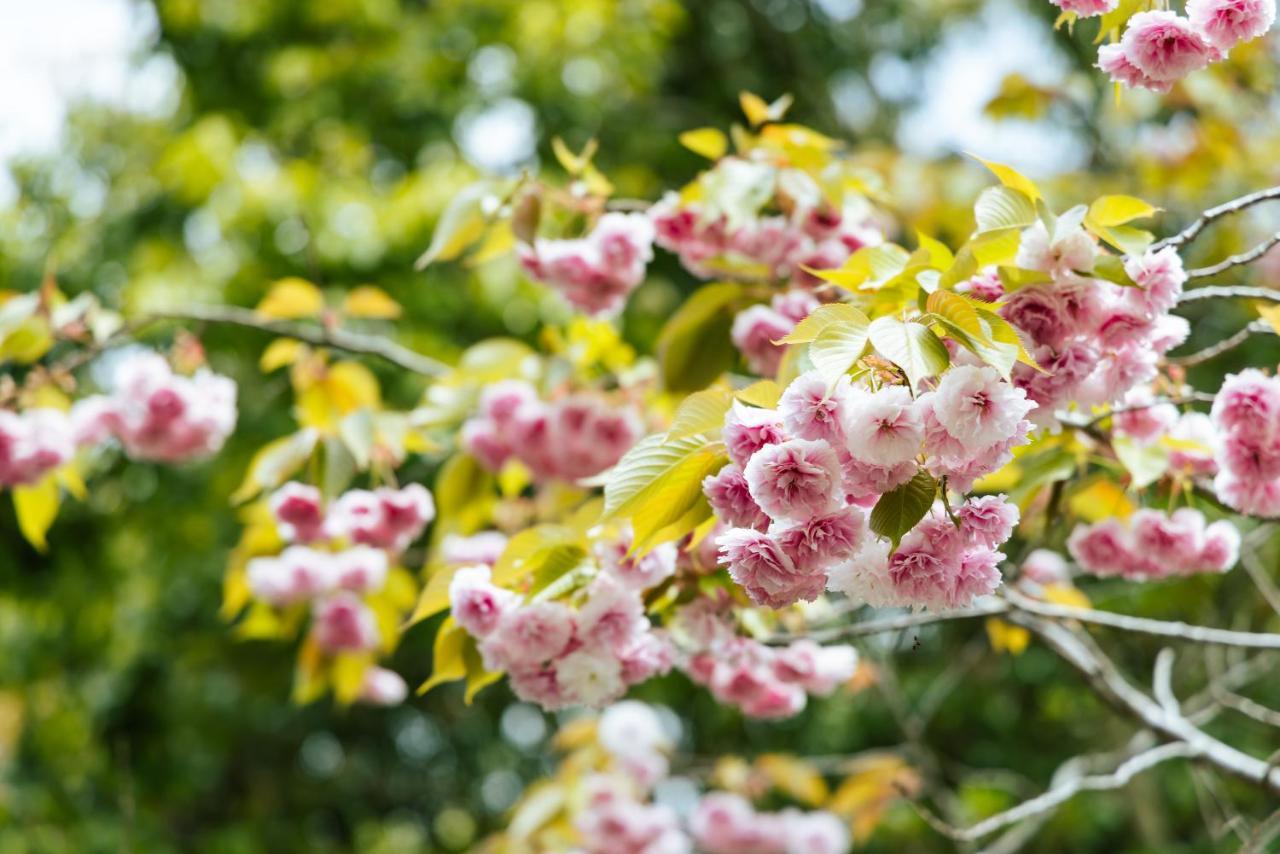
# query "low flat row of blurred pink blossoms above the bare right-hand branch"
(1155, 546)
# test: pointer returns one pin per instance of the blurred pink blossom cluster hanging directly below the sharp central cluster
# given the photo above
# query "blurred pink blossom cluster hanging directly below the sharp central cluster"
(764, 682)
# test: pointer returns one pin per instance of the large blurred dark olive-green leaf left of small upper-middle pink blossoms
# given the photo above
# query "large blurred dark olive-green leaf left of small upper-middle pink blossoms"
(694, 346)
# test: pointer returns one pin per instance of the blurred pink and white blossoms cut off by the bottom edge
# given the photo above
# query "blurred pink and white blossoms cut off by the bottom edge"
(616, 812)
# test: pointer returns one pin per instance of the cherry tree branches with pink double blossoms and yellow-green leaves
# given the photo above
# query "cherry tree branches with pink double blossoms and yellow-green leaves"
(848, 431)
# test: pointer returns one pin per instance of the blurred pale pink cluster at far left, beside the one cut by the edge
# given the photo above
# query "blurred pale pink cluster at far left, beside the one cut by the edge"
(157, 414)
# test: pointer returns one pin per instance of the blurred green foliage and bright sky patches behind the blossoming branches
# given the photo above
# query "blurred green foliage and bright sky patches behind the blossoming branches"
(198, 150)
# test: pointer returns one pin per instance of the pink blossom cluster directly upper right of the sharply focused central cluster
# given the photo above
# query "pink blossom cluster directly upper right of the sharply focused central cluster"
(1094, 340)
